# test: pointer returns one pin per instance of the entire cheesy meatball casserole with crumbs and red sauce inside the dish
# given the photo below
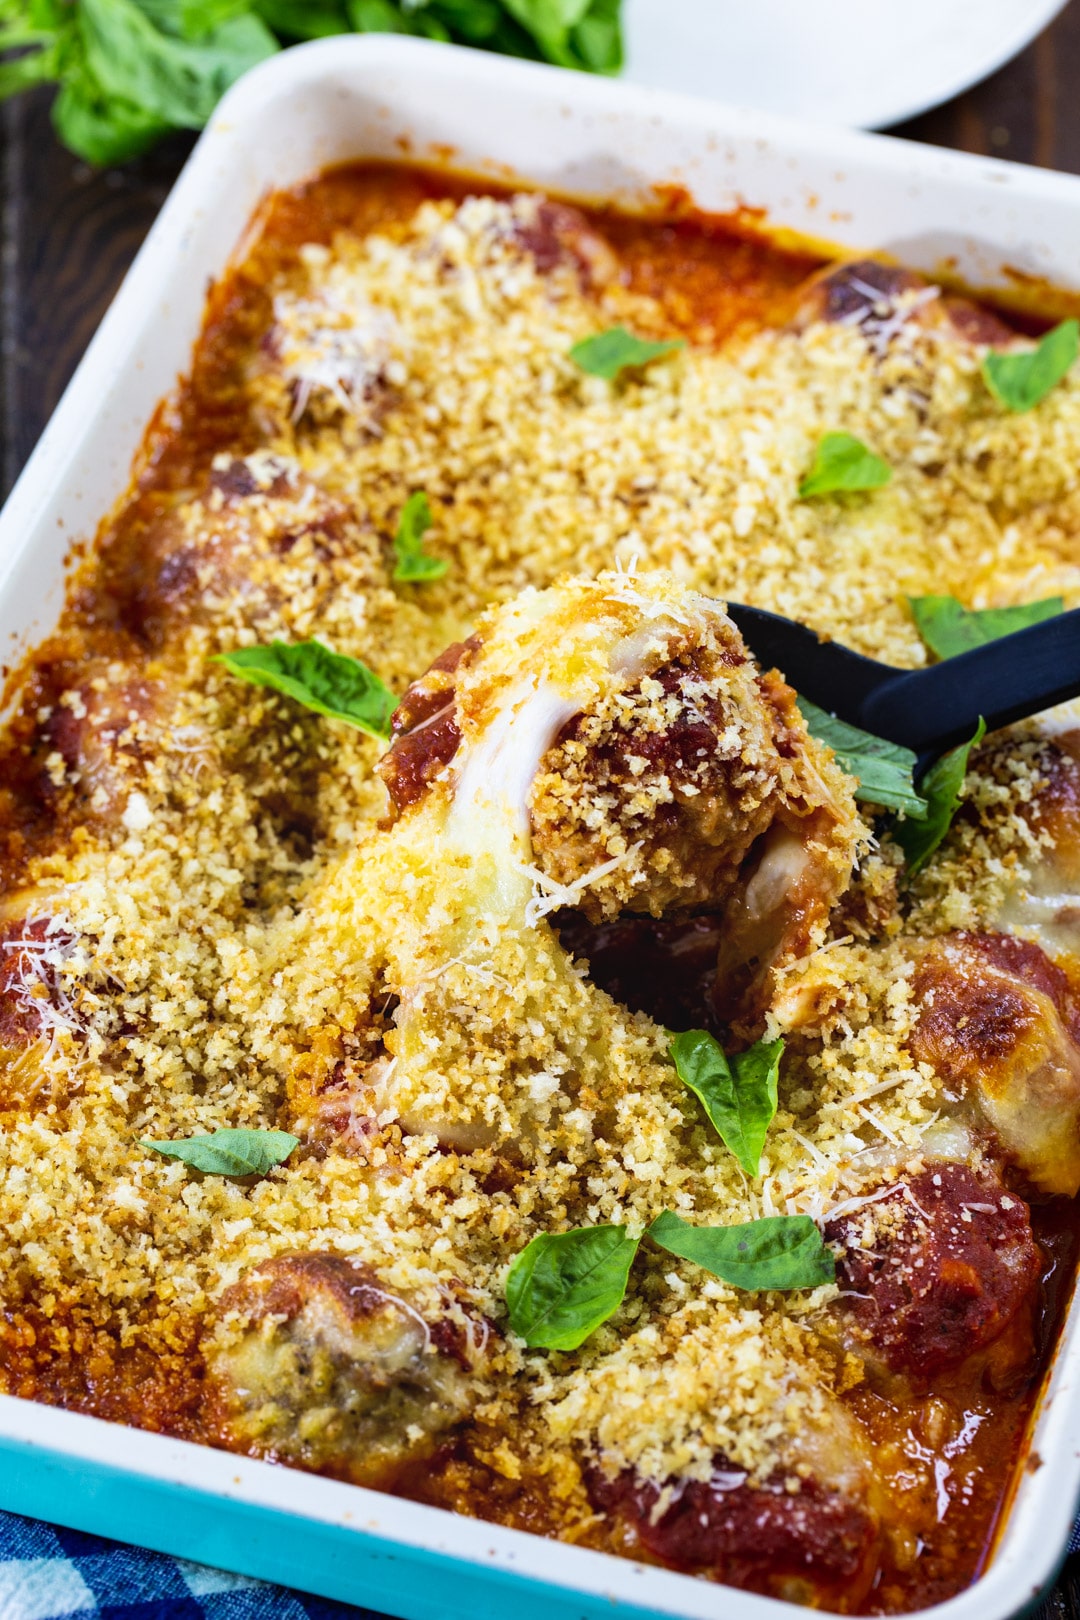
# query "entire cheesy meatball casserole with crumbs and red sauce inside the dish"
(451, 983)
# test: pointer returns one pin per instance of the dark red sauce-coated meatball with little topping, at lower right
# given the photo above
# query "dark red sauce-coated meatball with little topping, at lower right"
(938, 1271)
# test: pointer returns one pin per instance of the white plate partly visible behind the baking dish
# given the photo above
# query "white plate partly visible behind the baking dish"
(854, 62)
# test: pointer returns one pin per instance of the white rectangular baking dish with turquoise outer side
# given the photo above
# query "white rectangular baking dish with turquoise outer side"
(393, 98)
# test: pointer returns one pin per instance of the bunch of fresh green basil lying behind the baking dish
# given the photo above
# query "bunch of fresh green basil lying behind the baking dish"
(134, 70)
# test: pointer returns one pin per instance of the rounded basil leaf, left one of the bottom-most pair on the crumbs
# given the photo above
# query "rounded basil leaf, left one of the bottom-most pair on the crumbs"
(566, 1284)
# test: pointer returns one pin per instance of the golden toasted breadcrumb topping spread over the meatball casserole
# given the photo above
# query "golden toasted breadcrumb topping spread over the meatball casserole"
(249, 942)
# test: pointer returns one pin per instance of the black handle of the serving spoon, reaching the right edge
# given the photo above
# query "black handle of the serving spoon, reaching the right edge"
(937, 709)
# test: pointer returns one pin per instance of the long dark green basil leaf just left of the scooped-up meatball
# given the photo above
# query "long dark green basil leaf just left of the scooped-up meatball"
(318, 678)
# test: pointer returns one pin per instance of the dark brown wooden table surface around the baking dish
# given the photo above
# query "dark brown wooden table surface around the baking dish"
(69, 234)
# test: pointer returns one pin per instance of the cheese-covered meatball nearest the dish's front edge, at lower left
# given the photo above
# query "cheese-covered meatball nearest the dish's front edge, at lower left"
(315, 1363)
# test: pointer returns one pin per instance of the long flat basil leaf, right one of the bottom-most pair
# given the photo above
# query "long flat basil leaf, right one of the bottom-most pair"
(778, 1251)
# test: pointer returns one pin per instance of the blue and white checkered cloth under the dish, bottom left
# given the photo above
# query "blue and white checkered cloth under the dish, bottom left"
(51, 1574)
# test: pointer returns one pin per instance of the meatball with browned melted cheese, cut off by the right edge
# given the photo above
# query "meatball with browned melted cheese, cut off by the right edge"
(1000, 1023)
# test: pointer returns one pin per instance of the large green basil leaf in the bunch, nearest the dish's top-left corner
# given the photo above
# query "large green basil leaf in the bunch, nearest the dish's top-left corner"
(166, 79)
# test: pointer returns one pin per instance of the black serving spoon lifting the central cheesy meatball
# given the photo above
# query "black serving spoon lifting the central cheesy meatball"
(925, 710)
